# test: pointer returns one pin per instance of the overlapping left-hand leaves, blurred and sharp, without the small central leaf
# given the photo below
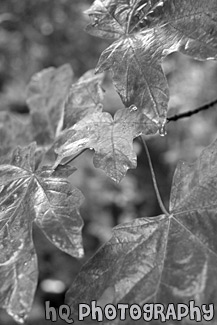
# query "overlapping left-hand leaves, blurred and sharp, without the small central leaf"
(32, 191)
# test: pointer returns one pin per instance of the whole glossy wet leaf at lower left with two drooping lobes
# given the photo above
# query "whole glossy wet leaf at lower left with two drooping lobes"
(28, 195)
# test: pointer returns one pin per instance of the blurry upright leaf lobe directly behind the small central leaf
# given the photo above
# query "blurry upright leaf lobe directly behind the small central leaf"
(83, 98)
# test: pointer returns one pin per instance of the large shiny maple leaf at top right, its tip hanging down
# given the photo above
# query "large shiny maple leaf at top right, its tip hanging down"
(144, 33)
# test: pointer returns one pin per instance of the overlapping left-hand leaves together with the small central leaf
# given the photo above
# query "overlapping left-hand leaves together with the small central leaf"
(67, 117)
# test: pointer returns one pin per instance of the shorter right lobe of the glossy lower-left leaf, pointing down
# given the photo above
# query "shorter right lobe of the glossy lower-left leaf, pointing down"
(58, 212)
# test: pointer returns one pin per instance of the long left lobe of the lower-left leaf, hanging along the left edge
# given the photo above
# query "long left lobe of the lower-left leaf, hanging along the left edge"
(18, 262)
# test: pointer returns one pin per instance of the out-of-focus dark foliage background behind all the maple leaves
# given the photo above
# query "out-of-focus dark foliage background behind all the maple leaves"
(38, 34)
